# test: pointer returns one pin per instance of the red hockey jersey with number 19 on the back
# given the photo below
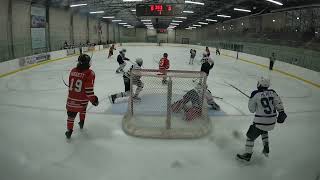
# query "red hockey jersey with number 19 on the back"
(81, 85)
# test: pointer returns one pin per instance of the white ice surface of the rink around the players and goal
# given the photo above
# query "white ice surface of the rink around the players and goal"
(33, 122)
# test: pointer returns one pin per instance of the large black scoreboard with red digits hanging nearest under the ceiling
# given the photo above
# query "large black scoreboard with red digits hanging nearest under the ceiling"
(158, 9)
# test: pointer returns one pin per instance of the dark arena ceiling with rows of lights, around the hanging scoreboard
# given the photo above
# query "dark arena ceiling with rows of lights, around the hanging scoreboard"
(211, 8)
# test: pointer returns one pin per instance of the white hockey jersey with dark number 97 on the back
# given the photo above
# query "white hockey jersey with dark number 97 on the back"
(265, 104)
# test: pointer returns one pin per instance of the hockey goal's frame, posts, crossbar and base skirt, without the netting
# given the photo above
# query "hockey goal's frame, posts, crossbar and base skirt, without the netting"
(168, 132)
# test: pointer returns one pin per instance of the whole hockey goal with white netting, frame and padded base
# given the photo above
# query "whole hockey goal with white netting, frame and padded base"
(172, 109)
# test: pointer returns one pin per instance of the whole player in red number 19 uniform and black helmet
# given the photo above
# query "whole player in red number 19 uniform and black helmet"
(81, 83)
